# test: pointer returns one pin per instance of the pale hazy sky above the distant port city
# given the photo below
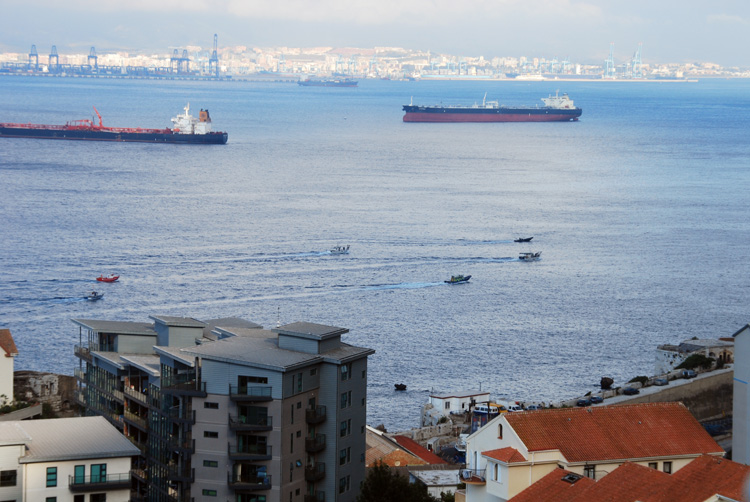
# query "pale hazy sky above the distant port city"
(671, 31)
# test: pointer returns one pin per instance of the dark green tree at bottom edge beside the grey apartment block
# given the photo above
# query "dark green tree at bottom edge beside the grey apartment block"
(384, 485)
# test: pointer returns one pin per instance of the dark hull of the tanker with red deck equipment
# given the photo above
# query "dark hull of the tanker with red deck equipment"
(212, 138)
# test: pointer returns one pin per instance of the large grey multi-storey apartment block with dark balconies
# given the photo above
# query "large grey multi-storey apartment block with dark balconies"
(226, 410)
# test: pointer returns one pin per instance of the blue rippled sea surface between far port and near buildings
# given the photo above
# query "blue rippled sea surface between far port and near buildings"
(640, 209)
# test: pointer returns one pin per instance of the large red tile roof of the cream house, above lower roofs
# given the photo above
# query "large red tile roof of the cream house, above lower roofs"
(614, 432)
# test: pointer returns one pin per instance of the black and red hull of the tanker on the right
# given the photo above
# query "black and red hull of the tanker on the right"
(445, 114)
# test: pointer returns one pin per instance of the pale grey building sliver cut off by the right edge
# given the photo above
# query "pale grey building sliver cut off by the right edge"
(741, 397)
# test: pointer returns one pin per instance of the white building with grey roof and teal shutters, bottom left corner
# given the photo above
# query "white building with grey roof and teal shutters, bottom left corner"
(64, 460)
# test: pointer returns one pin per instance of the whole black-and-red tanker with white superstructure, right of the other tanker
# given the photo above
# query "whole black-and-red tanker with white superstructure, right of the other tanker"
(557, 108)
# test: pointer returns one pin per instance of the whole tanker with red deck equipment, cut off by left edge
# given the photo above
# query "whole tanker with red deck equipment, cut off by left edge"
(186, 130)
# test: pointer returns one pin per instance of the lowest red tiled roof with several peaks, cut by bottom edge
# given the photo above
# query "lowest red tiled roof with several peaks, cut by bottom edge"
(705, 479)
